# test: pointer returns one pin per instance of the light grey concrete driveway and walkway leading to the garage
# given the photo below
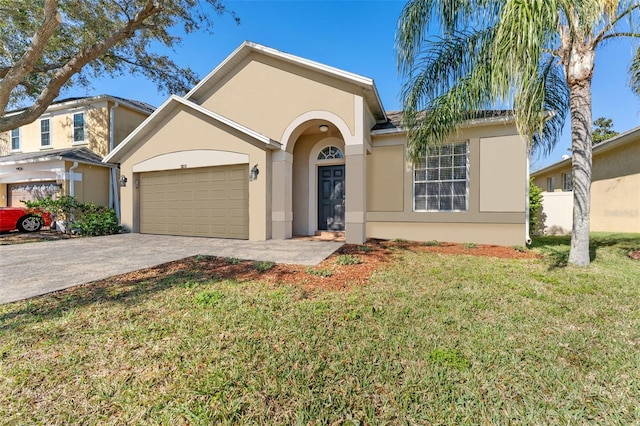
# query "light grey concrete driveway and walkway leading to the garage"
(28, 270)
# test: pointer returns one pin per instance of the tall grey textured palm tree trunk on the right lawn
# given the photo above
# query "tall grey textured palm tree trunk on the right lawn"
(580, 106)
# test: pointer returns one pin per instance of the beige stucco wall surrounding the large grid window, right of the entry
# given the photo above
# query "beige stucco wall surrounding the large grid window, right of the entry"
(491, 220)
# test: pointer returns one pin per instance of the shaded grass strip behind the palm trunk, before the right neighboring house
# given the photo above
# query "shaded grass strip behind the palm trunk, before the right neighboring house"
(556, 248)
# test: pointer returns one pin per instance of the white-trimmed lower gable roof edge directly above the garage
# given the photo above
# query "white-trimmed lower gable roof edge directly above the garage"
(163, 112)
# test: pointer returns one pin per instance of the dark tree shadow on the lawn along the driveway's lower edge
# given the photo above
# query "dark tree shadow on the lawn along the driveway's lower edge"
(123, 289)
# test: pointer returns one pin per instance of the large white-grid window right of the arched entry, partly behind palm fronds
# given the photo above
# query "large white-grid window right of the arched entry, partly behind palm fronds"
(441, 180)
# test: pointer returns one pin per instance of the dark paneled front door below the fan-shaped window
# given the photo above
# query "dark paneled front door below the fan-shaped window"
(331, 198)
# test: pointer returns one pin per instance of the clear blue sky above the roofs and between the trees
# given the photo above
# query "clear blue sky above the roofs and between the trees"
(356, 36)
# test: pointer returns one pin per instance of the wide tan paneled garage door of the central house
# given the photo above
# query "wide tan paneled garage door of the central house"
(203, 202)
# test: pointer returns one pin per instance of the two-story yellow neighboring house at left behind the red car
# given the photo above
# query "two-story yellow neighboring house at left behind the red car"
(61, 153)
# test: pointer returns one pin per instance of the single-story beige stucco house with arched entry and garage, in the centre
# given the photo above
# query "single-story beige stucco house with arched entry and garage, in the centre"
(270, 145)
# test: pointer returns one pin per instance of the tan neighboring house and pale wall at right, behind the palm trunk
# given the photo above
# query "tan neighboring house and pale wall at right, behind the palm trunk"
(615, 188)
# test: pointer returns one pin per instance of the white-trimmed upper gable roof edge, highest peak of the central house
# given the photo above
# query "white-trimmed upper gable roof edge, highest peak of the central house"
(371, 94)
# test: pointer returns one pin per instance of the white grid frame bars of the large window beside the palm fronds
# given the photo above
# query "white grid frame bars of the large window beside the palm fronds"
(424, 168)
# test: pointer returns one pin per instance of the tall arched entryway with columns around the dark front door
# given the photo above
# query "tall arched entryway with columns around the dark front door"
(312, 175)
